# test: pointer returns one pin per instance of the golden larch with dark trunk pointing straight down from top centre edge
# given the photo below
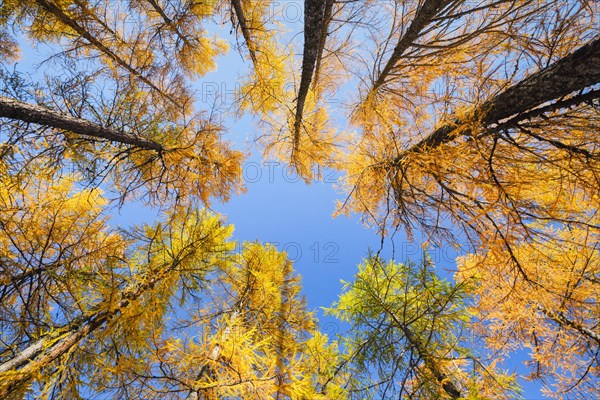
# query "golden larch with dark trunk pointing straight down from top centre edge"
(297, 127)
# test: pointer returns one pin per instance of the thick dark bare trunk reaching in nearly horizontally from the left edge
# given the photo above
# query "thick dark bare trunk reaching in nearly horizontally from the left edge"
(15, 109)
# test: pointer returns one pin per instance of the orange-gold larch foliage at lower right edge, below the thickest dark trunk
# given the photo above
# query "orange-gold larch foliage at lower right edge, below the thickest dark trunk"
(550, 308)
